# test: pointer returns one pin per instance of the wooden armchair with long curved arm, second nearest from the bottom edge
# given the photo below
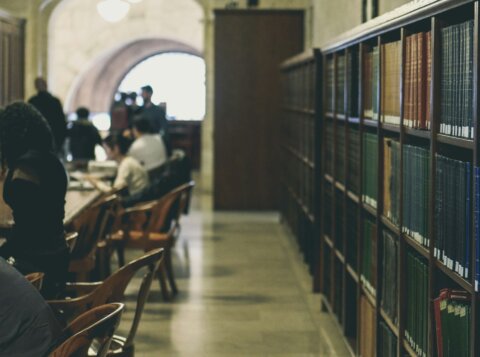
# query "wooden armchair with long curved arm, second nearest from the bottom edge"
(112, 289)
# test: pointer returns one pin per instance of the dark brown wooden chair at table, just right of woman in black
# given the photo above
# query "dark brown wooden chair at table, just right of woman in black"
(91, 227)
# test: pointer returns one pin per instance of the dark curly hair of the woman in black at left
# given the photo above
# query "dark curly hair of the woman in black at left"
(22, 128)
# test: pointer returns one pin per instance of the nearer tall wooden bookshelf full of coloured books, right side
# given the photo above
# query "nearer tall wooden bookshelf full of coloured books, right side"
(397, 180)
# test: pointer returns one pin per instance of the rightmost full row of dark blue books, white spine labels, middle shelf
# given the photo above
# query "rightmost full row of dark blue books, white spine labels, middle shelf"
(453, 214)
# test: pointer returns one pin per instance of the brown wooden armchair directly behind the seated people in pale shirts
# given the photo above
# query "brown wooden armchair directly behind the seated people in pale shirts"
(160, 230)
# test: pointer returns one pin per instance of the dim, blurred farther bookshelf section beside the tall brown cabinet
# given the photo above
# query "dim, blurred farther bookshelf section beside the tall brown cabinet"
(300, 167)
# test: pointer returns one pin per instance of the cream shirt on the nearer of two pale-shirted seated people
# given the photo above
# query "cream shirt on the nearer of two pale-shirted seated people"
(131, 174)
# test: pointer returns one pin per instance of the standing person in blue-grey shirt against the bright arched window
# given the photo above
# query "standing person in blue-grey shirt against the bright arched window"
(156, 115)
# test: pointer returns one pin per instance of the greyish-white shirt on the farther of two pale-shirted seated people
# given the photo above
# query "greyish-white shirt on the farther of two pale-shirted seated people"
(149, 150)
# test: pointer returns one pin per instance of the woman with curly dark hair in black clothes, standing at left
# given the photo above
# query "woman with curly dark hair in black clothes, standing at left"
(34, 188)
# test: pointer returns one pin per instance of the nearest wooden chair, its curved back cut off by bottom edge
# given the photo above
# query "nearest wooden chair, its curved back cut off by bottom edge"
(94, 326)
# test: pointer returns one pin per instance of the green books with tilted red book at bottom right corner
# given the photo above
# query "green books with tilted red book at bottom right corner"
(452, 323)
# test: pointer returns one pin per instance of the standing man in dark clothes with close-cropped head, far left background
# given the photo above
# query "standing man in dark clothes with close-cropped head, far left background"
(51, 109)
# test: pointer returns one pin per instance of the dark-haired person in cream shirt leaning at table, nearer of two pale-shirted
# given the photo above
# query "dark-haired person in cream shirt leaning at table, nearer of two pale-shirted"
(130, 172)
